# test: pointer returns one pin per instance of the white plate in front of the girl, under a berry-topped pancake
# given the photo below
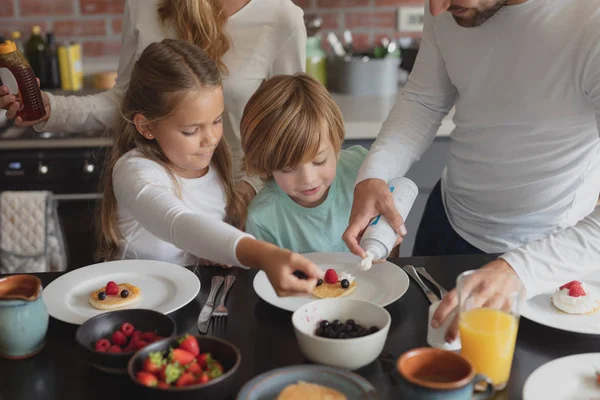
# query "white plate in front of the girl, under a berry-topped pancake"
(165, 288)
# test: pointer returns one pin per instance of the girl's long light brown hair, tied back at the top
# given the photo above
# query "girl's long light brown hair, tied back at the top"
(162, 78)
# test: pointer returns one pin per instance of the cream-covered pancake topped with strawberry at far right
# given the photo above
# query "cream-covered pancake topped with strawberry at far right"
(576, 298)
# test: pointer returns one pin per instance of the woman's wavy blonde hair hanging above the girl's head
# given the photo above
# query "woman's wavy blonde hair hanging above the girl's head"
(201, 22)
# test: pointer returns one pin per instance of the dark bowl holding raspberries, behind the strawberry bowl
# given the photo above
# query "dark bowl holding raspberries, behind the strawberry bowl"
(110, 339)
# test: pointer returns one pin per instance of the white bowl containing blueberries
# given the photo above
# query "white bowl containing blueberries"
(343, 353)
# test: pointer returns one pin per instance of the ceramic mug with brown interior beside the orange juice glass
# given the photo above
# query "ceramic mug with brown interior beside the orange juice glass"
(435, 374)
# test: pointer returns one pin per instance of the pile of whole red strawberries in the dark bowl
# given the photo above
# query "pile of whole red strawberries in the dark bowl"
(182, 366)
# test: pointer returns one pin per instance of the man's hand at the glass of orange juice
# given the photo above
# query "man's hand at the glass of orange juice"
(494, 283)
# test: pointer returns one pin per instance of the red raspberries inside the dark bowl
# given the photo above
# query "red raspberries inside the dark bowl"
(125, 340)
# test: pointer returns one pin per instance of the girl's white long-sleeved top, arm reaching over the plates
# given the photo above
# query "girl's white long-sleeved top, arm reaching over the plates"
(158, 224)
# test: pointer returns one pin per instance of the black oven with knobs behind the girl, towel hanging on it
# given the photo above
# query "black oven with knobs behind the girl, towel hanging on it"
(70, 166)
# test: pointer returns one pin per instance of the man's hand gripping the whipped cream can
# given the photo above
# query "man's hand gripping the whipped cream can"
(372, 197)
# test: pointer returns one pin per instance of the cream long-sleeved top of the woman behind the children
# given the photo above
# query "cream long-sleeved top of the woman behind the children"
(268, 37)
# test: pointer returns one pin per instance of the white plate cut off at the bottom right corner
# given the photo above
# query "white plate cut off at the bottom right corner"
(567, 378)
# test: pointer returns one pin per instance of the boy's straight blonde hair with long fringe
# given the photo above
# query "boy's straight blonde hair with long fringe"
(284, 123)
